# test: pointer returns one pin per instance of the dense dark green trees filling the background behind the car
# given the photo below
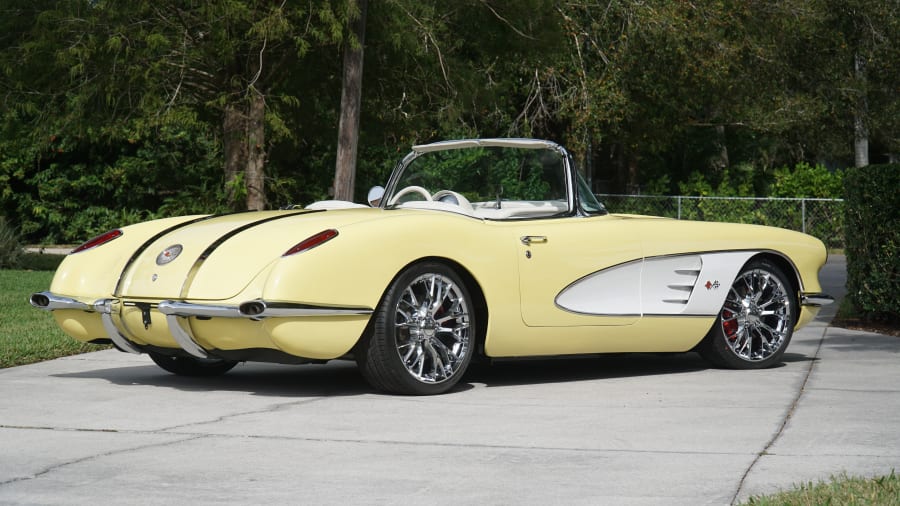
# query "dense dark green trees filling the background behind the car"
(114, 111)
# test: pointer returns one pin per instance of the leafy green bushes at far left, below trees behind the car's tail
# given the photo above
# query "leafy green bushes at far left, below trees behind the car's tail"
(70, 188)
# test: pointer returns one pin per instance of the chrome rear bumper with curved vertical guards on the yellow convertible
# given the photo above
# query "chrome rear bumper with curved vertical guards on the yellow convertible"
(176, 312)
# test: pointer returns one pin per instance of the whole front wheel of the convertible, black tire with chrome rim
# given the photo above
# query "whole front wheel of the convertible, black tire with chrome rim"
(756, 322)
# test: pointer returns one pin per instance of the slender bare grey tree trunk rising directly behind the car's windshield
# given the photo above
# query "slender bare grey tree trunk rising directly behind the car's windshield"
(348, 127)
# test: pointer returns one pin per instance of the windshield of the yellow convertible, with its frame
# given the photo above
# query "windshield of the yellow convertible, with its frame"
(494, 179)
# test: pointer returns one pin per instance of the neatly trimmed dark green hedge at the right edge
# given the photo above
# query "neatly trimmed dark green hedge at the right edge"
(872, 240)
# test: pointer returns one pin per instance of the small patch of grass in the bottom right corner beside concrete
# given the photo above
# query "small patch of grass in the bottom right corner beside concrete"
(842, 491)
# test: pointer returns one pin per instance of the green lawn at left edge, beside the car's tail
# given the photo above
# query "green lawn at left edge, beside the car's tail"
(29, 335)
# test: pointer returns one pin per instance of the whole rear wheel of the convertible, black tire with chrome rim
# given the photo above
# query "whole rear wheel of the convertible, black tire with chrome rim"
(423, 334)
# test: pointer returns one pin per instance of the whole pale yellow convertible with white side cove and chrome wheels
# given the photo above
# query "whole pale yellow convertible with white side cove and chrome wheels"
(485, 248)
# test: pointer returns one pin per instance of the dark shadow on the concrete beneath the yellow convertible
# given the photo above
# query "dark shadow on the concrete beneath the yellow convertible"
(342, 378)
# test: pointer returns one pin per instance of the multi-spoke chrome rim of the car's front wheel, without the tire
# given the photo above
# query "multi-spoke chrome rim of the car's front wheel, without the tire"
(756, 317)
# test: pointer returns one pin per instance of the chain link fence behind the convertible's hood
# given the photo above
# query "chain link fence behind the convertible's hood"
(822, 218)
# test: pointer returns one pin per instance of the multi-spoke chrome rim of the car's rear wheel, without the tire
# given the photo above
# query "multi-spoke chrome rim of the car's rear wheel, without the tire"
(432, 328)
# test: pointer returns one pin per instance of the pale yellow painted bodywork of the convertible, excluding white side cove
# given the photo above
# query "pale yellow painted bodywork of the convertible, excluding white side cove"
(519, 282)
